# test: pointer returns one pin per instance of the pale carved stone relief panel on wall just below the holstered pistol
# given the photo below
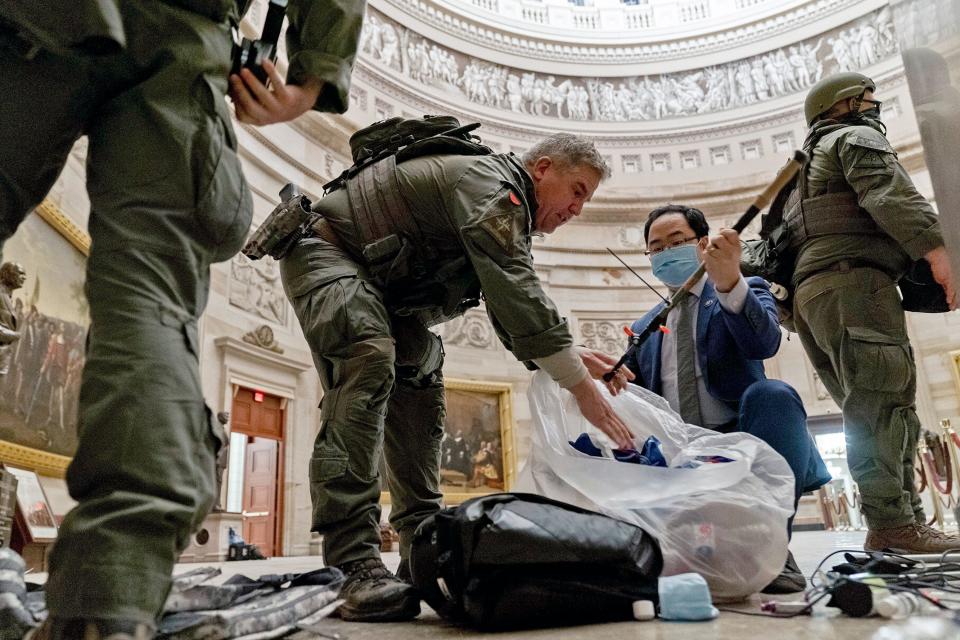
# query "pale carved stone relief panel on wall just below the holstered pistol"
(255, 287)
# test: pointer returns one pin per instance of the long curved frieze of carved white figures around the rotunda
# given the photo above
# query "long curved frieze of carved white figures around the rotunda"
(785, 71)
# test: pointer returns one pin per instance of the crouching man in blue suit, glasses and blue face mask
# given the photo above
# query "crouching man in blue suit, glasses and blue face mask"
(709, 364)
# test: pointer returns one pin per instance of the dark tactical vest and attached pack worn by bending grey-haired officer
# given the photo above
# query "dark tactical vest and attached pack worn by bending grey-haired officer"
(416, 278)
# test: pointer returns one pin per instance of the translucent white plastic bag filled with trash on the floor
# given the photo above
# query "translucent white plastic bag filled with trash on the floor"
(726, 521)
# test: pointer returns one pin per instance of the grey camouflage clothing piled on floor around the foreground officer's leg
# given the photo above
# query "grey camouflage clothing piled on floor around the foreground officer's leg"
(240, 608)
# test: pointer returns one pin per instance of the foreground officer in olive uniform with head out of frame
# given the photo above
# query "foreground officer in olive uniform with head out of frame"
(145, 81)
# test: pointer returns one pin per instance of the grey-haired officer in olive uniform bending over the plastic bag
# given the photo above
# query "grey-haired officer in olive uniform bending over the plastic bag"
(472, 217)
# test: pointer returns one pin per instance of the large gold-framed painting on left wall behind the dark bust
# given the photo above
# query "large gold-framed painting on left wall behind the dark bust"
(41, 387)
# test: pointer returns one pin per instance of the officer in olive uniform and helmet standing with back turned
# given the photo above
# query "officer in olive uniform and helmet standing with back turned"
(861, 224)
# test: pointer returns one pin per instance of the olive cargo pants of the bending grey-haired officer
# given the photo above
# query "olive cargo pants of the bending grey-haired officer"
(383, 397)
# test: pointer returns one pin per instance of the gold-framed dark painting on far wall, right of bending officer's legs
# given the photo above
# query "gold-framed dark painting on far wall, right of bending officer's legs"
(478, 451)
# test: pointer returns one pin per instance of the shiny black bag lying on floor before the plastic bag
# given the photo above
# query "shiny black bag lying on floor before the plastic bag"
(516, 560)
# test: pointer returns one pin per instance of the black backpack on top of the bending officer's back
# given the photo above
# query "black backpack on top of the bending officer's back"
(408, 138)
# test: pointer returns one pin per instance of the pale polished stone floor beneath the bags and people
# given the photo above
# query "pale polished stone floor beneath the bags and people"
(808, 547)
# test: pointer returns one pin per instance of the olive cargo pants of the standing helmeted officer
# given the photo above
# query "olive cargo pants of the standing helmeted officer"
(853, 329)
